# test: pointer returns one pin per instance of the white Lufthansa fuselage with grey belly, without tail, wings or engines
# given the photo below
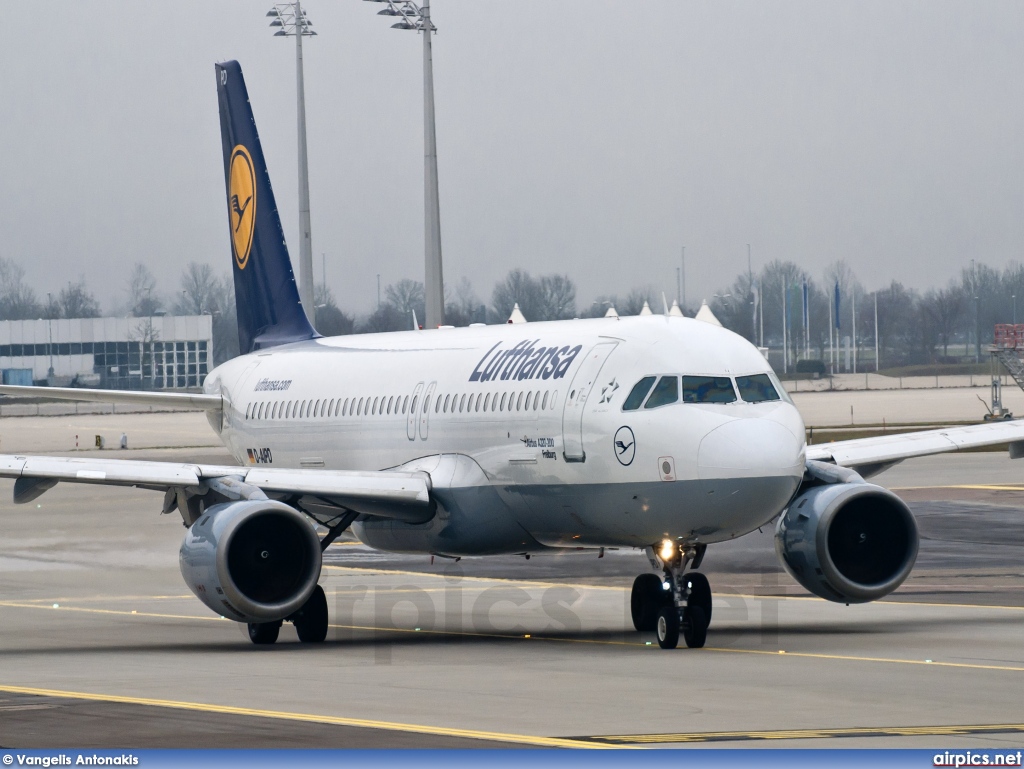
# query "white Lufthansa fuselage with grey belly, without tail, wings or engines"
(523, 431)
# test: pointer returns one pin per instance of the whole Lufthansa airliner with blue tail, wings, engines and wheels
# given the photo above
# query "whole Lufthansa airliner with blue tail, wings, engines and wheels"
(662, 434)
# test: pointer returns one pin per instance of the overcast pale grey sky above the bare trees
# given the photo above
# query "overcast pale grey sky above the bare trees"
(588, 139)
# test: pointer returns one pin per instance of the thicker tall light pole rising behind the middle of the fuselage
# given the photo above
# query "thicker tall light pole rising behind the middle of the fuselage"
(413, 17)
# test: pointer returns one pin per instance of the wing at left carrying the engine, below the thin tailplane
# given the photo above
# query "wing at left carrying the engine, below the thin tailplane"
(386, 494)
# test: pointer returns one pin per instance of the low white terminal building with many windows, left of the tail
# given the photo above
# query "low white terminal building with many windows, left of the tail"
(123, 354)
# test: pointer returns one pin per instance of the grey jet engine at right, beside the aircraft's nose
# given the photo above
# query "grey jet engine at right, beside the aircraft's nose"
(848, 543)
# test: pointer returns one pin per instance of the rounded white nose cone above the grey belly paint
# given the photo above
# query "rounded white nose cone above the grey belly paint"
(750, 448)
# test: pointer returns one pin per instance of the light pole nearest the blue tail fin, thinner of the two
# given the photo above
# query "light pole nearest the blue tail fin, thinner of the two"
(293, 23)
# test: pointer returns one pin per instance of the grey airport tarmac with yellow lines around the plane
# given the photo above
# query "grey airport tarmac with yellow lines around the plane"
(103, 646)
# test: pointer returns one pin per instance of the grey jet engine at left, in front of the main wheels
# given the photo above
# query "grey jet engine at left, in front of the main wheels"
(254, 562)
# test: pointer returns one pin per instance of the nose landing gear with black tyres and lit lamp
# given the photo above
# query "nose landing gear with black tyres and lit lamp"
(676, 604)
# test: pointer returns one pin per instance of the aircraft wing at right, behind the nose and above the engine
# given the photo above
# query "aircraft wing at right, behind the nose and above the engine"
(876, 454)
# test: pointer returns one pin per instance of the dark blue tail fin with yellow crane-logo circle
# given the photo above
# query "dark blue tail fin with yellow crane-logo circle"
(267, 297)
